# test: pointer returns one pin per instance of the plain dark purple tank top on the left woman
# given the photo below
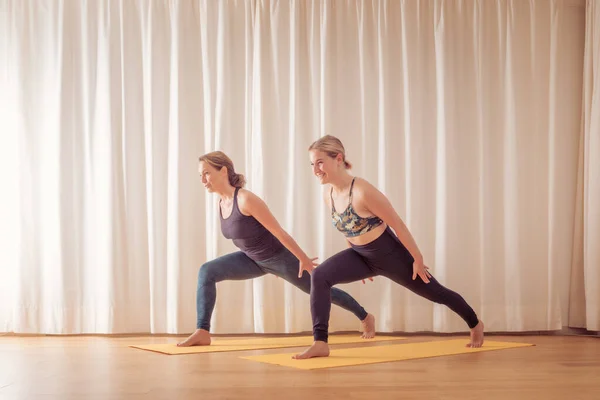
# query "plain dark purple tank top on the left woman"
(249, 235)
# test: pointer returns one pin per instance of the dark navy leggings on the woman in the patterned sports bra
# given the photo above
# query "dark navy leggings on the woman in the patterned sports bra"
(385, 256)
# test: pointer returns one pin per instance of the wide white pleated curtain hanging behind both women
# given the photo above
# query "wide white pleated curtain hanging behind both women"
(466, 114)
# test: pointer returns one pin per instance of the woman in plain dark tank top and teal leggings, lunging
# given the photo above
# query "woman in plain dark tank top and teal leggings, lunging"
(265, 248)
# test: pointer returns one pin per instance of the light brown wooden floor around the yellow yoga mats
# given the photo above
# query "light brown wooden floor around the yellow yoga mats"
(559, 367)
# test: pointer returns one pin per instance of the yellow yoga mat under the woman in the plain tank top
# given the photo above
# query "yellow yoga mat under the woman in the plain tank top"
(219, 345)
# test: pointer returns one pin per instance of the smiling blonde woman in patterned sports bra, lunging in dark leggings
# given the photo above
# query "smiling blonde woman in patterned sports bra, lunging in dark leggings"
(374, 248)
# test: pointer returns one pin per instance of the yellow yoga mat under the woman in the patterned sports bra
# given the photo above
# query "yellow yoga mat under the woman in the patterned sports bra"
(381, 354)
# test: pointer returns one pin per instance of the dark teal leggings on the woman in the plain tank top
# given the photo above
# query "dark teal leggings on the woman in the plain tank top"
(238, 266)
